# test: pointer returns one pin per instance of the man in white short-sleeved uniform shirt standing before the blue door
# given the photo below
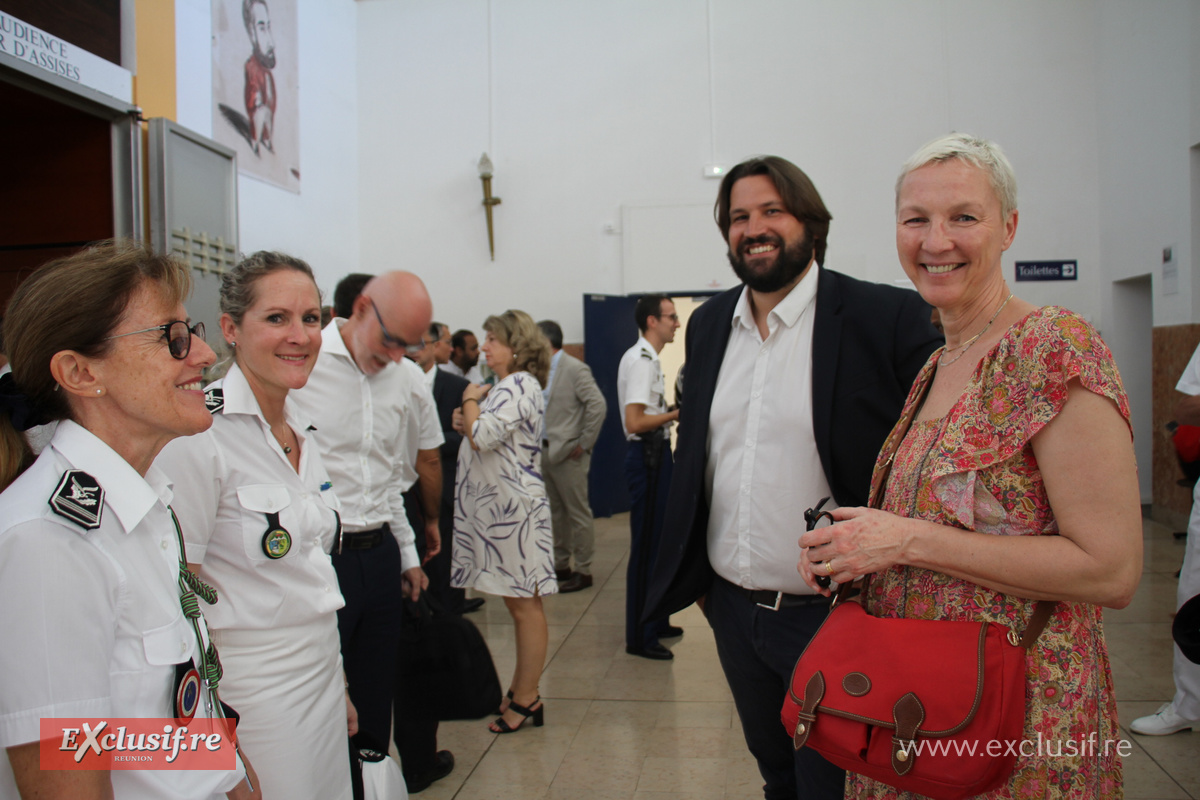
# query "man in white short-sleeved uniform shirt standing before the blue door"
(646, 419)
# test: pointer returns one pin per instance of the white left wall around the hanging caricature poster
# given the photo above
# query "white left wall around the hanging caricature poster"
(320, 225)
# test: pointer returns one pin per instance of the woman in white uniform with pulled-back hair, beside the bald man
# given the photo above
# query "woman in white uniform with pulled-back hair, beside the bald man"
(259, 515)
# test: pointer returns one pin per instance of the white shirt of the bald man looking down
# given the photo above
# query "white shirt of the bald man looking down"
(361, 425)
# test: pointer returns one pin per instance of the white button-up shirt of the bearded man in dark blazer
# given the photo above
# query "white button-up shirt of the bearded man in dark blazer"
(764, 470)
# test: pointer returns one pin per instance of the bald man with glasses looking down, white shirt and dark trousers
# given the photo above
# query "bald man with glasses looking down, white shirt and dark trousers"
(362, 402)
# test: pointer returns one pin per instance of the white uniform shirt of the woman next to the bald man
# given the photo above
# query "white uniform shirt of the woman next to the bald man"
(229, 482)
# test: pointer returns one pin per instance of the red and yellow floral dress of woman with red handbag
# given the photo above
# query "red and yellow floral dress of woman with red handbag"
(975, 470)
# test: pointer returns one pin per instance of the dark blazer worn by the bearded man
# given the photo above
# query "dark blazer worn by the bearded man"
(869, 342)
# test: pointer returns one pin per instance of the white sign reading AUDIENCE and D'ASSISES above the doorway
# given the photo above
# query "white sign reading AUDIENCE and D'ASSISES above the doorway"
(47, 52)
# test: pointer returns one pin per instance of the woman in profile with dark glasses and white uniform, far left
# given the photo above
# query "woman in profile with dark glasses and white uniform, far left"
(91, 564)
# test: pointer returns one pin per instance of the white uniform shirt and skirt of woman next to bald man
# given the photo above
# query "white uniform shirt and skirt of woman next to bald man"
(262, 534)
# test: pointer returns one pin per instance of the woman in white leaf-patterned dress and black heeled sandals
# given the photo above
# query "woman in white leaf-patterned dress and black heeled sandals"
(502, 536)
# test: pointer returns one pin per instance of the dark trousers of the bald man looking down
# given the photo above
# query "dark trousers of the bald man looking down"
(369, 627)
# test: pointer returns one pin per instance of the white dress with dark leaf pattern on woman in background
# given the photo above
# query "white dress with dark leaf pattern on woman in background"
(502, 534)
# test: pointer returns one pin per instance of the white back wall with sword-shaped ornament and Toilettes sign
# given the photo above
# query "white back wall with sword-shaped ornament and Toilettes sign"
(602, 105)
